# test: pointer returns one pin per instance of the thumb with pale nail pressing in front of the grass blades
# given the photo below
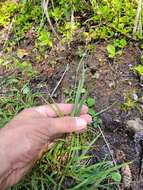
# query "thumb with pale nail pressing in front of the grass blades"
(59, 126)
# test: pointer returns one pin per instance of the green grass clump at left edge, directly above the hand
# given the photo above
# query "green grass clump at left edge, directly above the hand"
(15, 99)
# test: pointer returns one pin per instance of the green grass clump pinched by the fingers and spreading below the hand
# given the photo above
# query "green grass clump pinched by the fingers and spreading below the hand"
(68, 164)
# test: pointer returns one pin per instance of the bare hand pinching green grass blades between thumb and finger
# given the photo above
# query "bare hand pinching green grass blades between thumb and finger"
(29, 134)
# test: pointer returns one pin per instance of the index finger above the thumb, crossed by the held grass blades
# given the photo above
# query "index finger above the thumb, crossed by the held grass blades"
(65, 109)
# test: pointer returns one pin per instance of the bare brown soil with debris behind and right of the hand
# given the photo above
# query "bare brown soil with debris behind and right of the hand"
(108, 82)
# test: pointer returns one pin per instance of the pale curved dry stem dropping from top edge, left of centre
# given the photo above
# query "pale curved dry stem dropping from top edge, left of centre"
(45, 9)
